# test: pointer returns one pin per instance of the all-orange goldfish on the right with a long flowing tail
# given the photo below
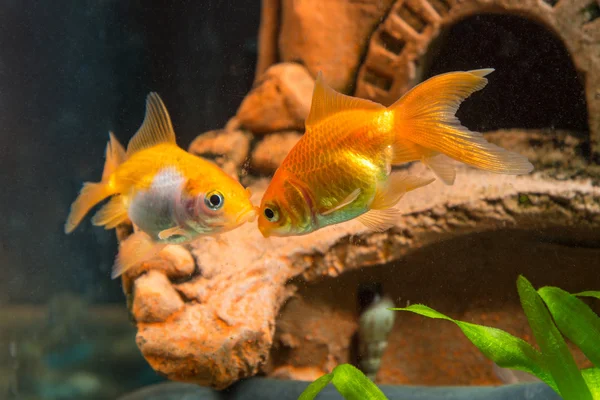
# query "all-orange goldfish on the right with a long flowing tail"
(342, 167)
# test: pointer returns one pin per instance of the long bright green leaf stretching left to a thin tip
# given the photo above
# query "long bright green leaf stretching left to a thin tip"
(504, 349)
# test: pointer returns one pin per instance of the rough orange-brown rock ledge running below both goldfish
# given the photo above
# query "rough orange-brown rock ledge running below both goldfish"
(225, 328)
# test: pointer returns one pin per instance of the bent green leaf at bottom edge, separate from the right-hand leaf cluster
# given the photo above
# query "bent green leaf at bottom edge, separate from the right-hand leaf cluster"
(349, 381)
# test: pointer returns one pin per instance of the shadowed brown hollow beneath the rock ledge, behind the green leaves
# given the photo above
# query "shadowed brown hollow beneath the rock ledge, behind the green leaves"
(466, 277)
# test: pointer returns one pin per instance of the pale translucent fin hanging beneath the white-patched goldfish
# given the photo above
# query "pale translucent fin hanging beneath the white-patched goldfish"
(133, 251)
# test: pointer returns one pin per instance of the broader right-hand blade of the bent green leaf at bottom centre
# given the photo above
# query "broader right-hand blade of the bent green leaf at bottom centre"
(354, 385)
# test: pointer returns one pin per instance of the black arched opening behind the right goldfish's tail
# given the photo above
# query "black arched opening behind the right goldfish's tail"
(534, 85)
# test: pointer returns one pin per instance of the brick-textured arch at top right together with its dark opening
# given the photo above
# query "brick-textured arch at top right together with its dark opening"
(544, 69)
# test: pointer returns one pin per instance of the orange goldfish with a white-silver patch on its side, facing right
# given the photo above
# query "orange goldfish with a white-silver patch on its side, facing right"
(169, 195)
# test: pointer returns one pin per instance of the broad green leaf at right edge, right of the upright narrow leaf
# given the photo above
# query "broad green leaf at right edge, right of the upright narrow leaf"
(575, 320)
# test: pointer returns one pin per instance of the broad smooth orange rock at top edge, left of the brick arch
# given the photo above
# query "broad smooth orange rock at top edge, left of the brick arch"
(329, 36)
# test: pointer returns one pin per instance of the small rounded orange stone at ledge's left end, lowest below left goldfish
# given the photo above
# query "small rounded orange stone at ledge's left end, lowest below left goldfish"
(155, 299)
